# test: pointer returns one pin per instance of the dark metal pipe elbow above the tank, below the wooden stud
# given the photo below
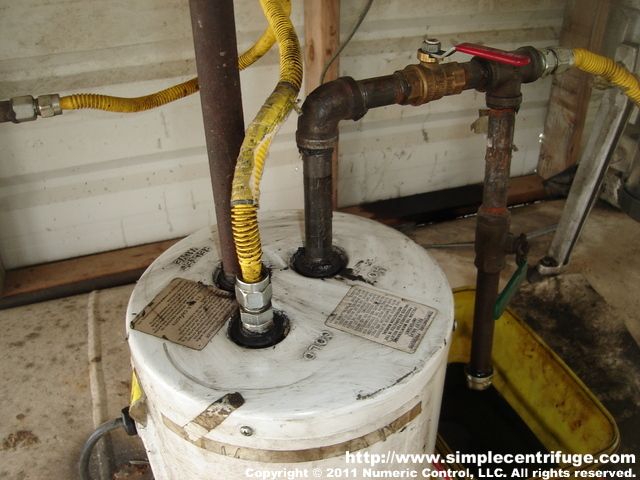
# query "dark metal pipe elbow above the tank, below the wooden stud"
(323, 109)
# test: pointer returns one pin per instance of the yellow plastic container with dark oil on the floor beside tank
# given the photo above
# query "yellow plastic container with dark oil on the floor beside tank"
(556, 406)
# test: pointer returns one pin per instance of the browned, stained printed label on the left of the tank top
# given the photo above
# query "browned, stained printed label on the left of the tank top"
(186, 312)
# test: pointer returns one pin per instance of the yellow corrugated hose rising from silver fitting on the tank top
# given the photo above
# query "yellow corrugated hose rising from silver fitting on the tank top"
(246, 181)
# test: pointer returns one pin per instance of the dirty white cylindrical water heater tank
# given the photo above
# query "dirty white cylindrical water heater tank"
(360, 371)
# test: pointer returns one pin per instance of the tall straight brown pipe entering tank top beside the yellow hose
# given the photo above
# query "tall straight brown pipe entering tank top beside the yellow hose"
(214, 38)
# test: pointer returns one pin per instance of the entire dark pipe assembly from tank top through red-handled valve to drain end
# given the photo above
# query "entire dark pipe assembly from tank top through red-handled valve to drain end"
(345, 99)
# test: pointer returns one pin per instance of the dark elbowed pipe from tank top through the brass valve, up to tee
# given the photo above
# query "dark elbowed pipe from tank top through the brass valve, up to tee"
(317, 135)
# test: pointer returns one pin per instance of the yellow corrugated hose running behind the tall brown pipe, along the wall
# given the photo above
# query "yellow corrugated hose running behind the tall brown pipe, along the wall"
(138, 104)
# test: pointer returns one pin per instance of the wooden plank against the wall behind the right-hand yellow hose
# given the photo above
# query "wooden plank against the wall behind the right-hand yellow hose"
(583, 27)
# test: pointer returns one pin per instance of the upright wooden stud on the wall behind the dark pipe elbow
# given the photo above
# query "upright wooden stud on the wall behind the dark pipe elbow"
(322, 38)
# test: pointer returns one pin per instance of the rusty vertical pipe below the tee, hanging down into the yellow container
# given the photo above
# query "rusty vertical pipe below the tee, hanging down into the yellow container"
(492, 231)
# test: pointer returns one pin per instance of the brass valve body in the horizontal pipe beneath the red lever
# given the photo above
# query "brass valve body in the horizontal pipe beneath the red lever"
(431, 81)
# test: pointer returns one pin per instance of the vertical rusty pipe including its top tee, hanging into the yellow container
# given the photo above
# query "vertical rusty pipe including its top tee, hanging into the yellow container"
(492, 243)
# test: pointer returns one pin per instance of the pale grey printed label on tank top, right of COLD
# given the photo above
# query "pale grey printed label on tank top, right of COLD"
(383, 318)
